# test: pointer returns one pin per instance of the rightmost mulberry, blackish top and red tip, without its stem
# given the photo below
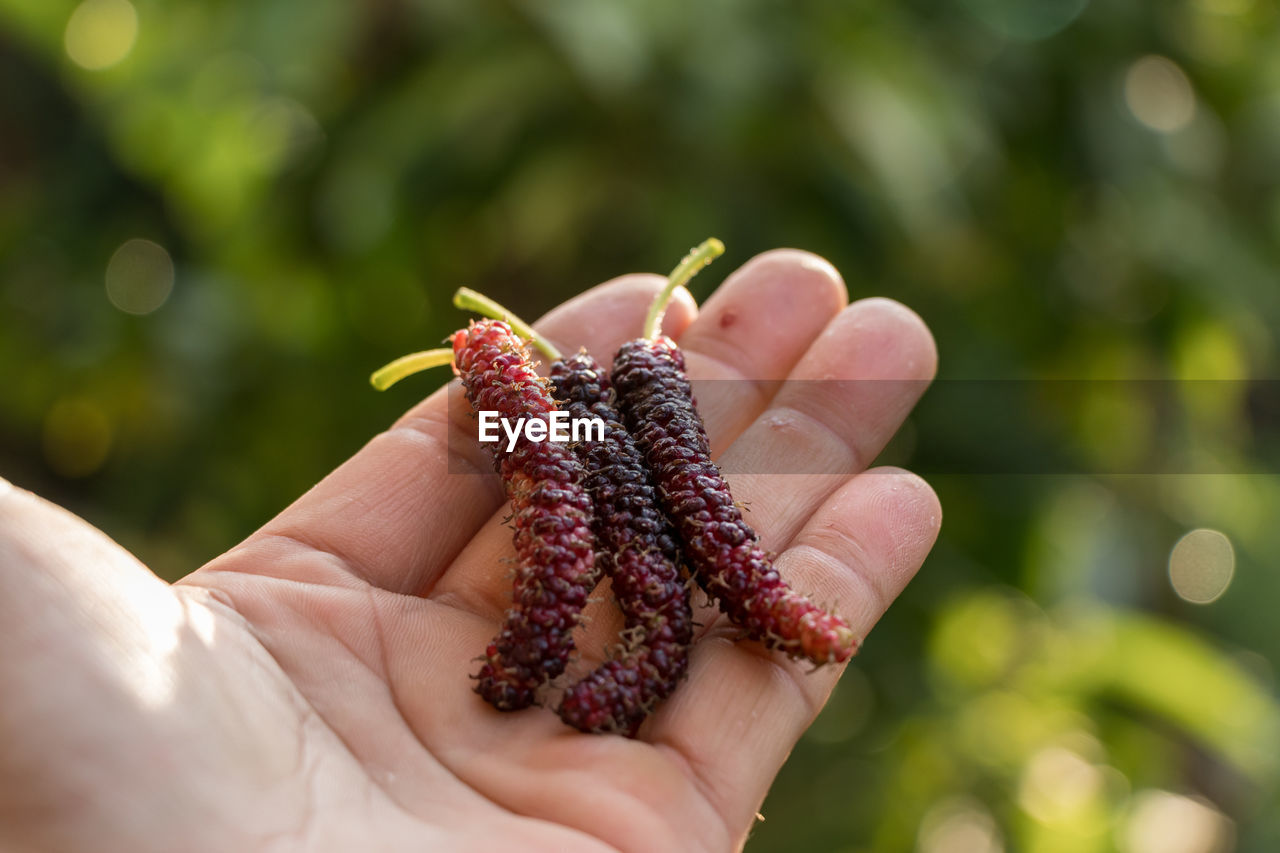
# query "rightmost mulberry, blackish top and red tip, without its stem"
(721, 549)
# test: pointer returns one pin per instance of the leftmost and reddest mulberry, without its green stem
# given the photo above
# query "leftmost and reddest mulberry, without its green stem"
(551, 514)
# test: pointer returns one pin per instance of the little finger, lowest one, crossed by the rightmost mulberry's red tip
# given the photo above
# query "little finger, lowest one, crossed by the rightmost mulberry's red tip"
(744, 709)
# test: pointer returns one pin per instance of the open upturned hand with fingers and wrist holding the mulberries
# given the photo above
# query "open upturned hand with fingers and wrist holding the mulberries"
(310, 688)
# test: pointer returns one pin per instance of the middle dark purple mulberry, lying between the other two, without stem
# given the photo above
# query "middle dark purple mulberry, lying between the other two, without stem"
(639, 551)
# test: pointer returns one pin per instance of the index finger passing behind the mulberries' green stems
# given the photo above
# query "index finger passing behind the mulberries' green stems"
(400, 510)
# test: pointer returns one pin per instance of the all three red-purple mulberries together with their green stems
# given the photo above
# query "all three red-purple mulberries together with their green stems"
(644, 507)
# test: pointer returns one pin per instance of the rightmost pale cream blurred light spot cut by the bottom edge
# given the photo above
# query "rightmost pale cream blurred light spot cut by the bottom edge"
(1165, 823)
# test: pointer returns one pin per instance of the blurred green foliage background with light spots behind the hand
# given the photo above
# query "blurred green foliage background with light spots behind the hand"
(216, 218)
